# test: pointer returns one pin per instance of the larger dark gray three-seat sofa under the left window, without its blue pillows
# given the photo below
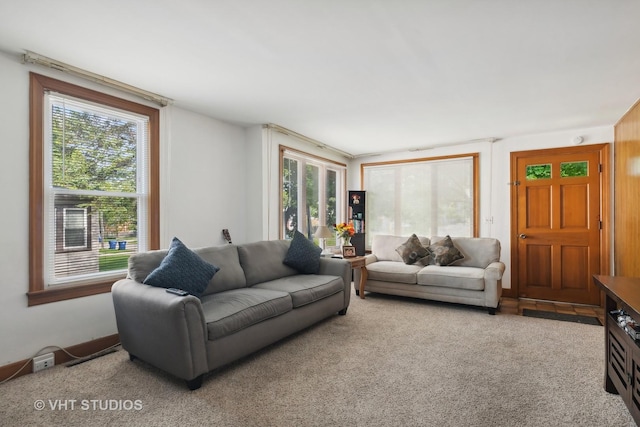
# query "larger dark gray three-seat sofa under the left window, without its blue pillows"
(252, 301)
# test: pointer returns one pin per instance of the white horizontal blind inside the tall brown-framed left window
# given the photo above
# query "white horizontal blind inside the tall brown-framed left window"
(96, 189)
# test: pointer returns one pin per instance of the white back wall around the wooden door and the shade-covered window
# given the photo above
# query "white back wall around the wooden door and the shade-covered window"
(495, 196)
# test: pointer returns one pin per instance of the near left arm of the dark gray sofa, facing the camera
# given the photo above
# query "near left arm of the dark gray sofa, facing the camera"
(163, 329)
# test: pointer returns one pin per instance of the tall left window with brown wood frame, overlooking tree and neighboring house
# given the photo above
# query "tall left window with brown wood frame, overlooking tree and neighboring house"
(94, 185)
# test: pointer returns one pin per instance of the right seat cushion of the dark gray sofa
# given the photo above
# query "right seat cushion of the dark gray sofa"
(305, 288)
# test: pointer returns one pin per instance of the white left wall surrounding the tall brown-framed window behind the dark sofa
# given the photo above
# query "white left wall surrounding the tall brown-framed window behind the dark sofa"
(202, 179)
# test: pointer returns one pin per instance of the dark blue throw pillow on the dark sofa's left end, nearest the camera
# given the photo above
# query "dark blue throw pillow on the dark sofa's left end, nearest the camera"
(183, 269)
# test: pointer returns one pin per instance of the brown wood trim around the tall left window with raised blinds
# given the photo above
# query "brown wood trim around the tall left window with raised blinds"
(38, 86)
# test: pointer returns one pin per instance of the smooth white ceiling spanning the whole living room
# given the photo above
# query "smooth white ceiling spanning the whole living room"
(359, 75)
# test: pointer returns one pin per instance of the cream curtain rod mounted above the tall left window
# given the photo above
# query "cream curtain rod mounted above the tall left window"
(34, 58)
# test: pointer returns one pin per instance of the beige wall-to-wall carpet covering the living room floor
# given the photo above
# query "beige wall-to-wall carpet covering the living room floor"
(388, 362)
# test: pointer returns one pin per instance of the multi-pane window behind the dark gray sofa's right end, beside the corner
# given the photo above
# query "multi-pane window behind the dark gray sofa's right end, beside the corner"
(313, 193)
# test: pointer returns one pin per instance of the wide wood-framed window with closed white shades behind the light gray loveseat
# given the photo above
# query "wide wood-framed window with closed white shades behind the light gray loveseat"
(428, 197)
